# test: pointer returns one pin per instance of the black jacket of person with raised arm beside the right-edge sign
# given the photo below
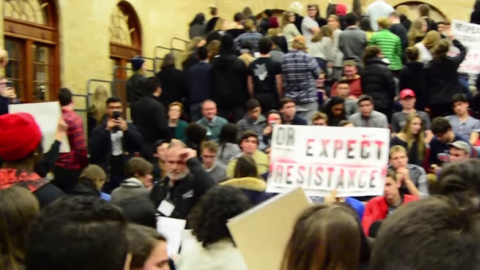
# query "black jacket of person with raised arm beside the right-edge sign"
(442, 77)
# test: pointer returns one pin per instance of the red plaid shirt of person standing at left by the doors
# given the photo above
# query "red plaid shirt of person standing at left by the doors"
(77, 157)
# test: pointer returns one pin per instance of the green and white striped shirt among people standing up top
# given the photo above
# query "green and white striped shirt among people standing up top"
(391, 47)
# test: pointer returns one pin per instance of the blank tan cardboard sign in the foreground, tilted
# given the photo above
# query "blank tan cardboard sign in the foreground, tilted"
(262, 233)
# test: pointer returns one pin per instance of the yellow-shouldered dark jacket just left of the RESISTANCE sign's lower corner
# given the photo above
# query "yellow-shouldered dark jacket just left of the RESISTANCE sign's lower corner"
(254, 188)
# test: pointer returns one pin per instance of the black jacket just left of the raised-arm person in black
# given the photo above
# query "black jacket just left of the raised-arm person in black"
(412, 77)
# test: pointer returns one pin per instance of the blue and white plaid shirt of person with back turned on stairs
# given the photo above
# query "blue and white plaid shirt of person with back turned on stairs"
(300, 72)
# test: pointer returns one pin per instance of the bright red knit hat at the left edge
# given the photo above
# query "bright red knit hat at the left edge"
(19, 136)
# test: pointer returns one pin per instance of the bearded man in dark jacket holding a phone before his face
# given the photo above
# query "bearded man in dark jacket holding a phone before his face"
(113, 143)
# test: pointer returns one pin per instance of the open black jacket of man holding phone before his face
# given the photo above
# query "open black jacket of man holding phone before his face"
(100, 145)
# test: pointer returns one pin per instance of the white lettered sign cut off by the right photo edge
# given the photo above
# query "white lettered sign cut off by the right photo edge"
(469, 35)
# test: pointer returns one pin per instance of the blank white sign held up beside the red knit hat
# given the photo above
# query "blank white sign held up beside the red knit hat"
(46, 114)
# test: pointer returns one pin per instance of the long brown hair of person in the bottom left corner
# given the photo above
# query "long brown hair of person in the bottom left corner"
(18, 207)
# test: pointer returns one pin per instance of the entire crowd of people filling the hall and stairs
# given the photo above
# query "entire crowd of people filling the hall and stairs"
(194, 144)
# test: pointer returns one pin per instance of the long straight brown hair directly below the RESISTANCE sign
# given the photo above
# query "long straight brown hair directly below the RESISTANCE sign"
(324, 237)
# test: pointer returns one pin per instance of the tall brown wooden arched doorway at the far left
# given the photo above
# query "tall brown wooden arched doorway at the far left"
(31, 39)
